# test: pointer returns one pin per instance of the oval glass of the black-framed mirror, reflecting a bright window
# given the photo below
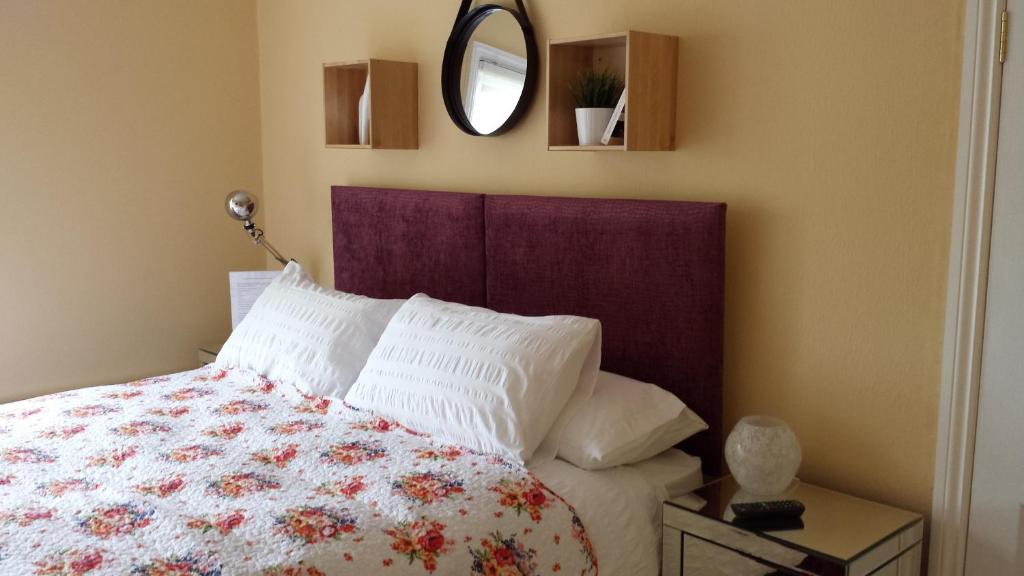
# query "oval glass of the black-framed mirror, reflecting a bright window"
(494, 72)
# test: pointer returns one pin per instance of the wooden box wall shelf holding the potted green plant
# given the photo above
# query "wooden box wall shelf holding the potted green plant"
(648, 63)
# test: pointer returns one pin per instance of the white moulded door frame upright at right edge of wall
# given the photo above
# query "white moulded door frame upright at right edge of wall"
(969, 250)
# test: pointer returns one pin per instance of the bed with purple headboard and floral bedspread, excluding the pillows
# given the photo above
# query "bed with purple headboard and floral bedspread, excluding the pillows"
(225, 472)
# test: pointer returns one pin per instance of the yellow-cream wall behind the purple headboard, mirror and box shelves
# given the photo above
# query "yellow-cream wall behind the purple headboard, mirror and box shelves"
(828, 128)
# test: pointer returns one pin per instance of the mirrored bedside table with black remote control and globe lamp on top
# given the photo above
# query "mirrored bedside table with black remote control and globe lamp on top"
(842, 537)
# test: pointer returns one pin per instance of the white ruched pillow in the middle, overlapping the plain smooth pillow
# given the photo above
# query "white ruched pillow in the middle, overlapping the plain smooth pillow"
(494, 383)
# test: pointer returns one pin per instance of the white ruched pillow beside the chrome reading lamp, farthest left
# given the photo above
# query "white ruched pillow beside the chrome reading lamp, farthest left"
(301, 334)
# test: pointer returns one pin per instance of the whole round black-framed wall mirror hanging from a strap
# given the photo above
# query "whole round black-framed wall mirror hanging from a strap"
(490, 69)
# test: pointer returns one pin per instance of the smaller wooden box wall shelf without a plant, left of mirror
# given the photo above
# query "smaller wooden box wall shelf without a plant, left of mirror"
(394, 104)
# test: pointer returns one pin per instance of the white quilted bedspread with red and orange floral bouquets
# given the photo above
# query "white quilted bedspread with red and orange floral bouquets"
(209, 473)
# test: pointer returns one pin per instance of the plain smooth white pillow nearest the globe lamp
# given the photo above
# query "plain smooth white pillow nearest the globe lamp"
(626, 422)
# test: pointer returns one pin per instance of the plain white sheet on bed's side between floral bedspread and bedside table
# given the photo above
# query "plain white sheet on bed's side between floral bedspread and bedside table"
(622, 508)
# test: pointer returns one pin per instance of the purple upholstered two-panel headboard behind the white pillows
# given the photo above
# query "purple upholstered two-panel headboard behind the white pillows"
(654, 273)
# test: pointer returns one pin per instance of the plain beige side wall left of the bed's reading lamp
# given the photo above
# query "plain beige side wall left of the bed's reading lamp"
(122, 128)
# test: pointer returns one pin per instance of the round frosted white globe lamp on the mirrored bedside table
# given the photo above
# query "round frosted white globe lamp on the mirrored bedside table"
(763, 456)
